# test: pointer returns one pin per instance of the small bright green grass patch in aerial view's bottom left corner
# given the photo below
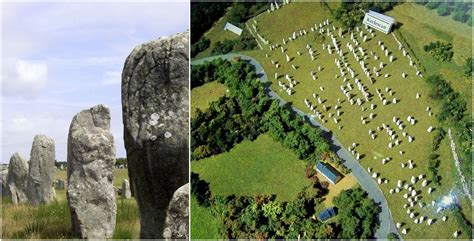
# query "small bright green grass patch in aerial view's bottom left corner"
(203, 224)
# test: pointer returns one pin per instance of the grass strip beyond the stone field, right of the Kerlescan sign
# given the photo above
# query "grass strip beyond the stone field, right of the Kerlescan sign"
(422, 26)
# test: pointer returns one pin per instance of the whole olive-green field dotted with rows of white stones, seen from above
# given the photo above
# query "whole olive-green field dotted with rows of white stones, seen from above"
(368, 89)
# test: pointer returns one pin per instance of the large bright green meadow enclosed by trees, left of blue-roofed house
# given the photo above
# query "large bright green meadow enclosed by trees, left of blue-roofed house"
(262, 166)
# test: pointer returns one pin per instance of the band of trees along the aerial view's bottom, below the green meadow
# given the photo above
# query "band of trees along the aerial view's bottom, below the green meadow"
(265, 217)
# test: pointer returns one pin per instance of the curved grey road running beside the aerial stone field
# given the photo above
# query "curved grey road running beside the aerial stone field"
(365, 180)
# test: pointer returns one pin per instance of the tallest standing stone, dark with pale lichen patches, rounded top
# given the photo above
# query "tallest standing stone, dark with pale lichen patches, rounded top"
(155, 104)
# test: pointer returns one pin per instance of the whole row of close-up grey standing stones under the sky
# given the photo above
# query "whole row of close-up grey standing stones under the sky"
(155, 102)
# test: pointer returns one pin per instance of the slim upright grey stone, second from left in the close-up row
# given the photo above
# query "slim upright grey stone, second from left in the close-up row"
(41, 171)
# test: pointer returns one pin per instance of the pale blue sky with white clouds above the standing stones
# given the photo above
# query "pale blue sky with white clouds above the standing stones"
(61, 58)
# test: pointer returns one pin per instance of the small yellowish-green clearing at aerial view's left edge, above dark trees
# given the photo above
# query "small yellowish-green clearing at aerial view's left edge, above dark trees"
(203, 95)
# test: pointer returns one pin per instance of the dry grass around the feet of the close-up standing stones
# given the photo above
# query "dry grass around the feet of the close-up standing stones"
(52, 221)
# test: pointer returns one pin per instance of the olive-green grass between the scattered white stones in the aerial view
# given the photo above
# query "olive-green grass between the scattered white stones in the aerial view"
(281, 24)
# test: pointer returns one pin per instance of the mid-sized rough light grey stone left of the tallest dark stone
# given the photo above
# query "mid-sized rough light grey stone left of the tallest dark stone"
(91, 160)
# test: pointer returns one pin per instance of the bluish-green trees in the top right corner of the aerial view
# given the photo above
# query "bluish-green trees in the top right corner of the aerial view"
(459, 11)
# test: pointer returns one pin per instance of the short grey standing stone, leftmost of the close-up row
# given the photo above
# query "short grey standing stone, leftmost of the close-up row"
(16, 179)
